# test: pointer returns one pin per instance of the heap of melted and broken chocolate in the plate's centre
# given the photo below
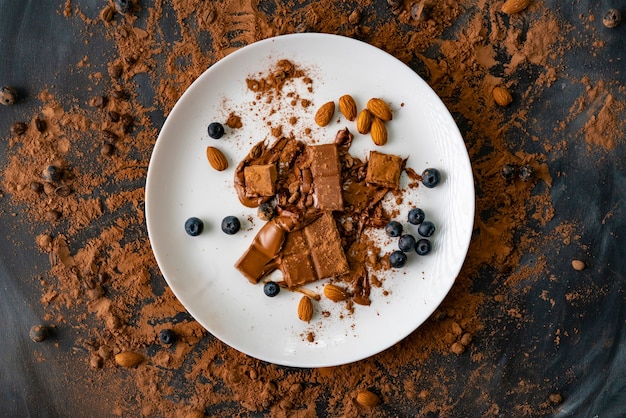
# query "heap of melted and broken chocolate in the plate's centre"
(325, 204)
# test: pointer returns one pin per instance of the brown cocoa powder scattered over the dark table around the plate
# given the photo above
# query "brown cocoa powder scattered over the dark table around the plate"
(104, 282)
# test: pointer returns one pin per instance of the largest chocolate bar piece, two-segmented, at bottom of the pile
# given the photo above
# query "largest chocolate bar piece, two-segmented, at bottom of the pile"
(313, 253)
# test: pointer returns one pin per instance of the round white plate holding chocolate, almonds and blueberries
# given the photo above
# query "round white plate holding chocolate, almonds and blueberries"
(181, 184)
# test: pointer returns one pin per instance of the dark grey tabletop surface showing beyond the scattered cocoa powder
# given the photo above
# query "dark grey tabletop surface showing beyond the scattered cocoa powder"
(39, 49)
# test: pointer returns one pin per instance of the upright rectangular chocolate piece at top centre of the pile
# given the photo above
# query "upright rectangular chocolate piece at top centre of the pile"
(326, 173)
